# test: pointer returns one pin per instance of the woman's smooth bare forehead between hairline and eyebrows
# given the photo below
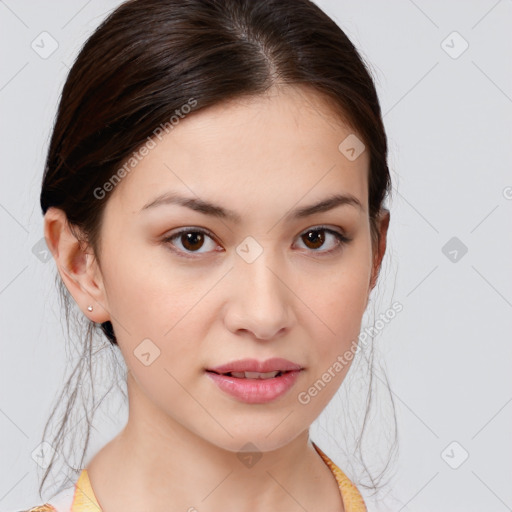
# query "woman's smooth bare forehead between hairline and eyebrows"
(282, 145)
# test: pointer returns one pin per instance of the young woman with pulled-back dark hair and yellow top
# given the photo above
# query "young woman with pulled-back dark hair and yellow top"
(213, 199)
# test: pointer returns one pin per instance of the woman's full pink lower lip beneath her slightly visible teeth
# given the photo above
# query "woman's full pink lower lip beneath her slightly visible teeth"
(255, 391)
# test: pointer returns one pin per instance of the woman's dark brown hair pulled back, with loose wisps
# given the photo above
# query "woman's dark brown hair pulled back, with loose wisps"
(148, 58)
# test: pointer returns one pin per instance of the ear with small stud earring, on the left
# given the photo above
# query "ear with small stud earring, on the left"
(77, 266)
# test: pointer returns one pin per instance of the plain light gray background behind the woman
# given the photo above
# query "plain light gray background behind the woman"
(447, 354)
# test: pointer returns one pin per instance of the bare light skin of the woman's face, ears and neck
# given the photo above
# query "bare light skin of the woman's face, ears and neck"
(260, 157)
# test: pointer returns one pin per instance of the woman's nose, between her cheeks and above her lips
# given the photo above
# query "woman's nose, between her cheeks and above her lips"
(260, 299)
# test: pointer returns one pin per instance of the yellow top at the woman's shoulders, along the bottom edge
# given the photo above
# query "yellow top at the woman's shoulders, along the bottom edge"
(84, 499)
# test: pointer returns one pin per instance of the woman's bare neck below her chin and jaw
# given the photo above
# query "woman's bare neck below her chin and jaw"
(162, 463)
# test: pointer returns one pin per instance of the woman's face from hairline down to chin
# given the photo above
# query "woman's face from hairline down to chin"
(250, 277)
